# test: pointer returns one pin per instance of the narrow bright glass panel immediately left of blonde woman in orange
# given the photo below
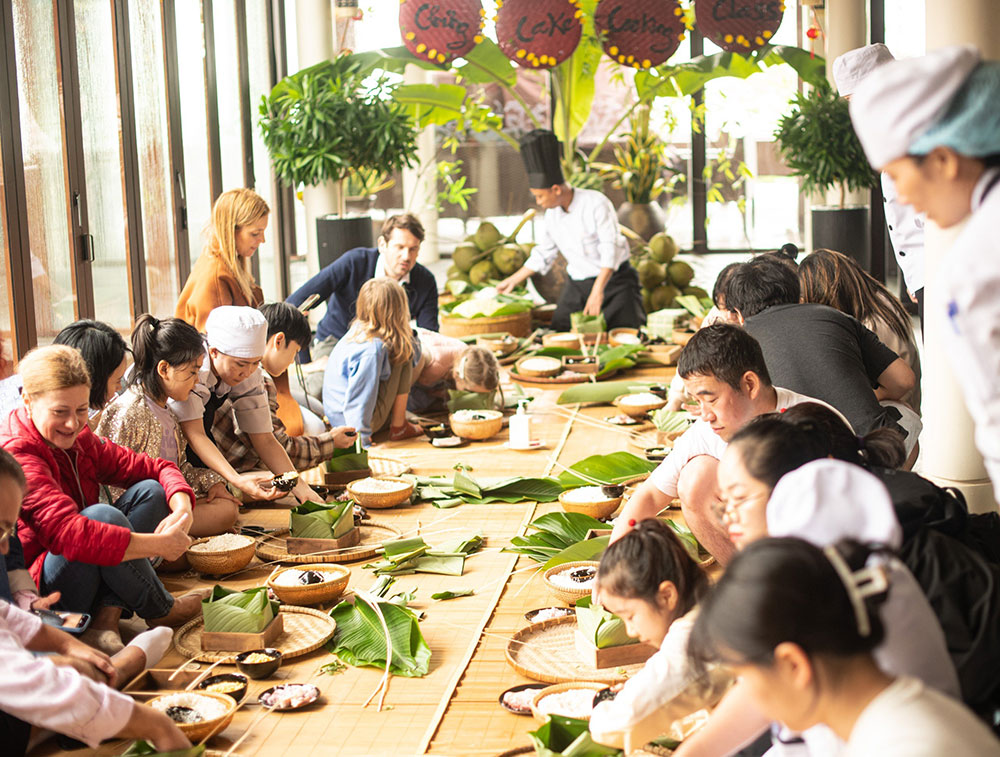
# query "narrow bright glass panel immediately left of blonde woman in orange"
(194, 120)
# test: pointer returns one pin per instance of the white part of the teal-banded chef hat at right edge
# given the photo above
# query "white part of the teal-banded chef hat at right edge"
(900, 102)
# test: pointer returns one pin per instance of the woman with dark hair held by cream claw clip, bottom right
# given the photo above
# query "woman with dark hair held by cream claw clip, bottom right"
(800, 626)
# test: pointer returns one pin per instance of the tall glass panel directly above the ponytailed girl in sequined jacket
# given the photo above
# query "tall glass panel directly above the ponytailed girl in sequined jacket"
(152, 142)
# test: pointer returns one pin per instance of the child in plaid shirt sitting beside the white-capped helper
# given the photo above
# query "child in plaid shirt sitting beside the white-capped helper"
(287, 332)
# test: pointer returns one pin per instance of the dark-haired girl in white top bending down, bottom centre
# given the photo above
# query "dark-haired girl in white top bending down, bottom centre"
(648, 579)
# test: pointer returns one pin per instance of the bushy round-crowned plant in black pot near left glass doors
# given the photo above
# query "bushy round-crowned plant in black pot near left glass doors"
(334, 122)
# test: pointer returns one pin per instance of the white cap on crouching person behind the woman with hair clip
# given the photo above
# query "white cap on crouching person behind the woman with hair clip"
(828, 500)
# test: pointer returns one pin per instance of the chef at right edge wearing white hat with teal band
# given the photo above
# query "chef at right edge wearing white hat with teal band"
(933, 124)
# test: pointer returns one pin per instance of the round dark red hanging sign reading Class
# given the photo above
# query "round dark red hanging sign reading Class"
(739, 26)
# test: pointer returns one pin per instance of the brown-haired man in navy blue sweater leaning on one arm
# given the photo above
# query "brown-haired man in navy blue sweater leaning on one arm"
(339, 283)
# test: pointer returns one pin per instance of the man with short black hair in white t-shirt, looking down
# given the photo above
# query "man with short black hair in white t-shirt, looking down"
(723, 369)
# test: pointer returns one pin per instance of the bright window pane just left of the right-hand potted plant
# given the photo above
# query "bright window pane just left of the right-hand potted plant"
(752, 201)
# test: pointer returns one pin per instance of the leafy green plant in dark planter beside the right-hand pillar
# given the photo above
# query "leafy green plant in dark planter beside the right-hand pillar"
(818, 144)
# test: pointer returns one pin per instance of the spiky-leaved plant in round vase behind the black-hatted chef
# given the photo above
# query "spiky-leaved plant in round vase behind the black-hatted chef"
(639, 170)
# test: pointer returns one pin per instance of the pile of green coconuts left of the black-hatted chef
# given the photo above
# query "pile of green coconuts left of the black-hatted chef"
(486, 256)
